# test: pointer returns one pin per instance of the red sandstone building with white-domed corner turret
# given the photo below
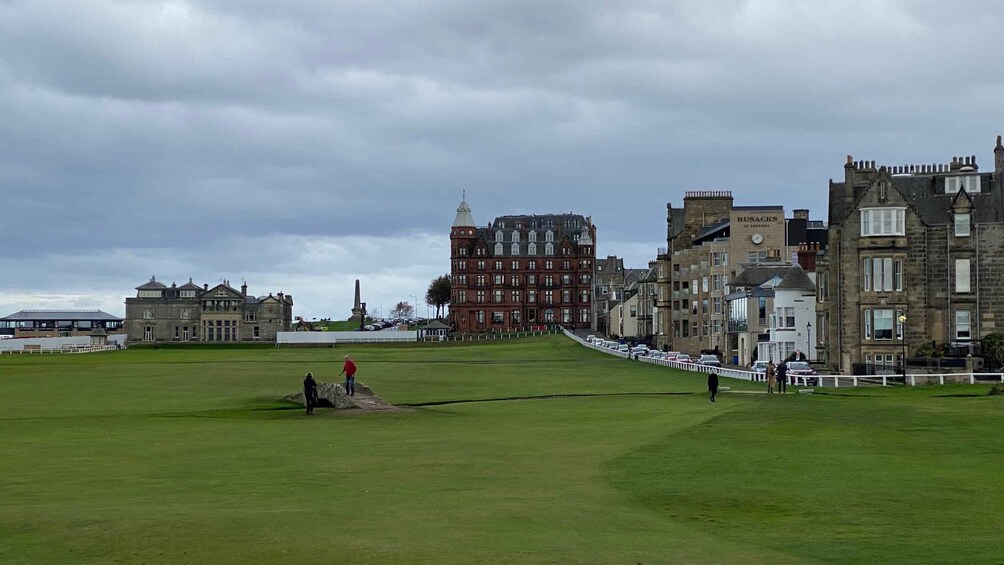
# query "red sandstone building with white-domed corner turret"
(522, 271)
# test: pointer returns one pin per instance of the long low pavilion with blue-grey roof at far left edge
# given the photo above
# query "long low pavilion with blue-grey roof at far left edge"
(59, 324)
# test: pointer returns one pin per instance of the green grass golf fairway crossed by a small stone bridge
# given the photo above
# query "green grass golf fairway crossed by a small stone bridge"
(189, 456)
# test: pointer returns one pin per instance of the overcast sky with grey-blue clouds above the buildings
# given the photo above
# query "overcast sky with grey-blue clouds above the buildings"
(304, 144)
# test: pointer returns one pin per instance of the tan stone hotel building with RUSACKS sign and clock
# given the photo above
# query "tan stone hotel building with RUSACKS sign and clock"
(708, 243)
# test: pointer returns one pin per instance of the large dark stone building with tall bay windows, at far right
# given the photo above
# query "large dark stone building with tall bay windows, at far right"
(914, 256)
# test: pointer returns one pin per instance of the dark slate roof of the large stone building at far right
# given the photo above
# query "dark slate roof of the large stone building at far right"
(926, 196)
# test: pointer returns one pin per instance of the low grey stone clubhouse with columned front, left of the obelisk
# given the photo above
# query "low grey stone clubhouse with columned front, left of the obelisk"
(190, 314)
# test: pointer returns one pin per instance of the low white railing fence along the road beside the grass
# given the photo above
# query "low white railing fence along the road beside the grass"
(834, 381)
